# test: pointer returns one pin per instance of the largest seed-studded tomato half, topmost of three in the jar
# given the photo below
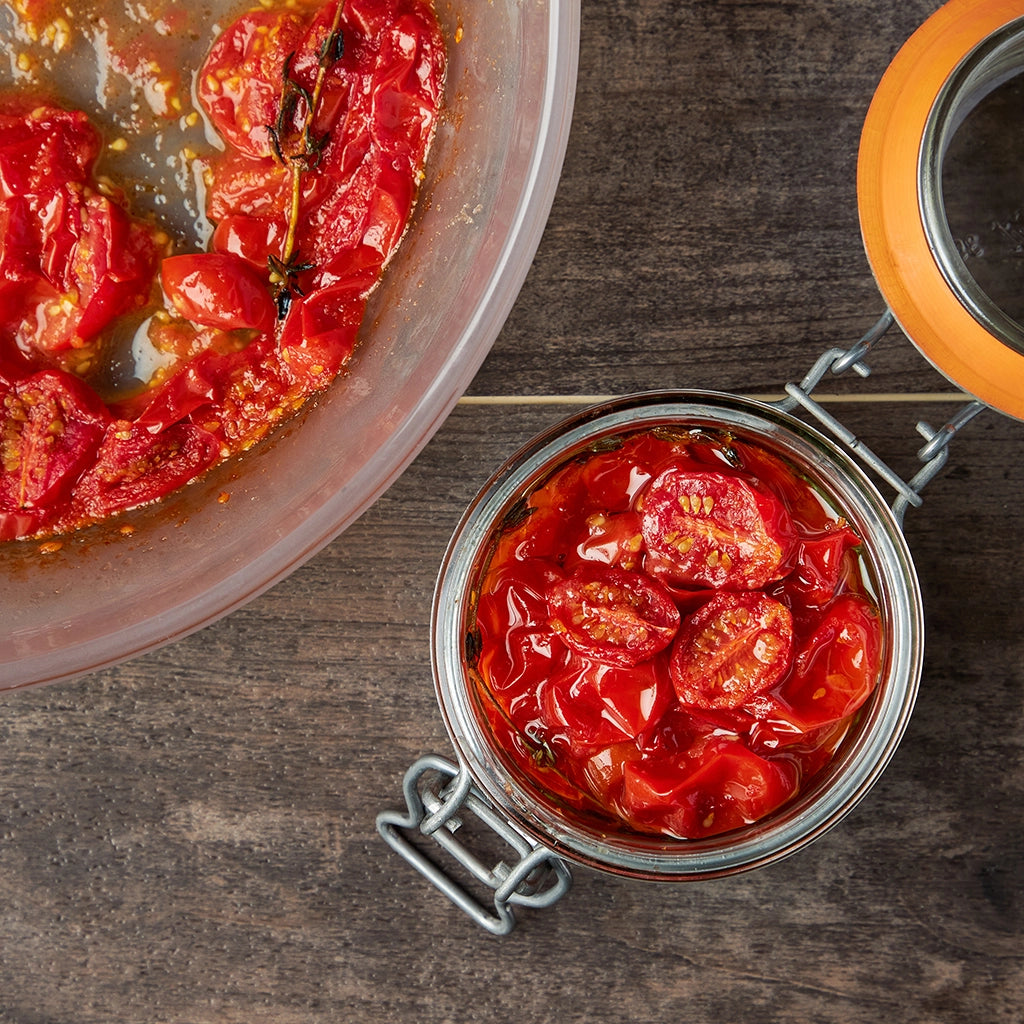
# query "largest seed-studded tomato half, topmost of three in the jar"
(706, 529)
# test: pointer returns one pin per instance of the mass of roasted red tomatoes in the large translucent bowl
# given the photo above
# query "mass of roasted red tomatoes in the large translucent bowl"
(326, 112)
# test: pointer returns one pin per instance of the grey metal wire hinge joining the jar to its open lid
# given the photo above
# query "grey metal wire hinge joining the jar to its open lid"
(934, 454)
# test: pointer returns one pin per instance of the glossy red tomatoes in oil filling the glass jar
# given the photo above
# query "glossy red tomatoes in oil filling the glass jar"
(673, 633)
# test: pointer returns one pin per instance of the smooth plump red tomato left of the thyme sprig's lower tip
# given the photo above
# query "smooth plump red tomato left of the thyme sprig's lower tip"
(219, 290)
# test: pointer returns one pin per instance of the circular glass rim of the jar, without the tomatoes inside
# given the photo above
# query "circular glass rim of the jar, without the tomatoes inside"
(865, 752)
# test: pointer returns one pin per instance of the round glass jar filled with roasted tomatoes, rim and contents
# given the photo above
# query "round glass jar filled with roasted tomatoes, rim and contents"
(678, 635)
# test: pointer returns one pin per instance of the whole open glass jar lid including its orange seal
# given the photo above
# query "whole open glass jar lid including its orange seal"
(941, 199)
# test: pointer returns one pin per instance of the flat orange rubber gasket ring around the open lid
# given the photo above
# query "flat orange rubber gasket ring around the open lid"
(889, 197)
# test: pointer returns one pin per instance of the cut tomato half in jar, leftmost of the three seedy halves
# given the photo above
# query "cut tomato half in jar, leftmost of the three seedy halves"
(612, 615)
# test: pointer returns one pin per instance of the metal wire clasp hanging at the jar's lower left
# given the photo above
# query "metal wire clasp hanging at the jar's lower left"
(538, 879)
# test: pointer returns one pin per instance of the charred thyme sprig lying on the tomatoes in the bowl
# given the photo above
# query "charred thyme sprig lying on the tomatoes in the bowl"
(300, 150)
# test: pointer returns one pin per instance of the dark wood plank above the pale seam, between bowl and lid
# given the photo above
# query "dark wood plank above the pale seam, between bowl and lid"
(706, 233)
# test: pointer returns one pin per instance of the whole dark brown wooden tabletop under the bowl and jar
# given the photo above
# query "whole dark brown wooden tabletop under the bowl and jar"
(190, 837)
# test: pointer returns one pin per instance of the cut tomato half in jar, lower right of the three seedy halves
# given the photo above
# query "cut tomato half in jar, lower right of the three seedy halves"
(737, 647)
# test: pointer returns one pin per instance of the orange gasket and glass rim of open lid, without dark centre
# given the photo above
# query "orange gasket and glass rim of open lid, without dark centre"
(963, 53)
